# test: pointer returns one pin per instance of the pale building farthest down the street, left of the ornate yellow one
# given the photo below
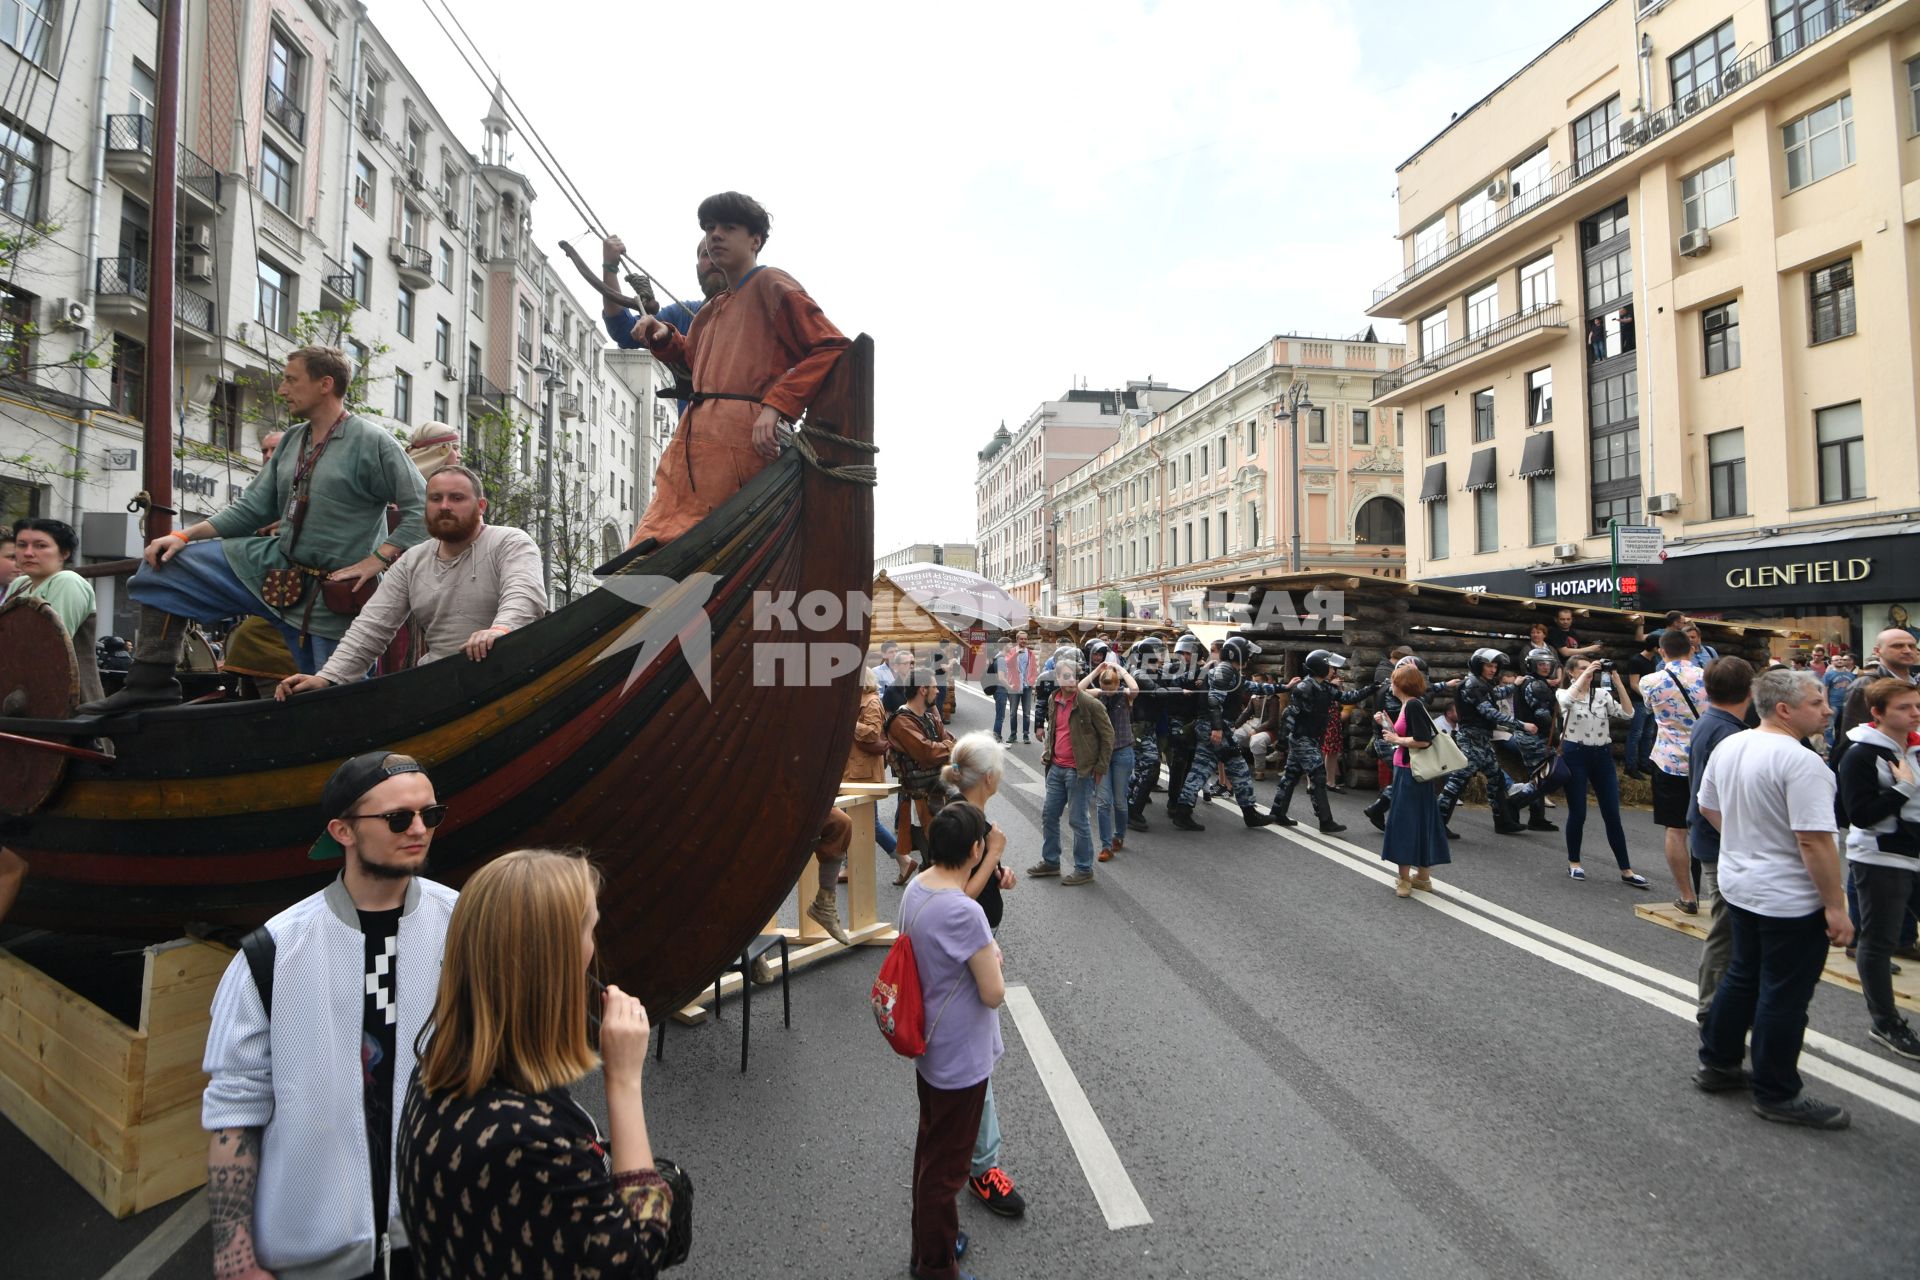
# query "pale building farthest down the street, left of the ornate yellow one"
(1015, 517)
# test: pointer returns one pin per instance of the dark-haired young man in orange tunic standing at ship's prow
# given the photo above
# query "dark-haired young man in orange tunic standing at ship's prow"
(759, 354)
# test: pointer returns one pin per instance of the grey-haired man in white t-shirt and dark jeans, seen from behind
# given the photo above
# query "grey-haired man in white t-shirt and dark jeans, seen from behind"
(1773, 805)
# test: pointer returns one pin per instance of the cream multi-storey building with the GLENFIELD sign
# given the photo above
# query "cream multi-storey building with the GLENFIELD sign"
(1664, 275)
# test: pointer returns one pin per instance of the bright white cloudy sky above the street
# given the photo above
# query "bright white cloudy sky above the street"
(1011, 199)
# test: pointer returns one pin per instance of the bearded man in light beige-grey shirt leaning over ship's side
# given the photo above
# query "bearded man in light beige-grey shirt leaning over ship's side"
(460, 592)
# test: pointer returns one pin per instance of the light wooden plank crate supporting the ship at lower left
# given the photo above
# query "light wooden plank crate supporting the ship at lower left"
(116, 1106)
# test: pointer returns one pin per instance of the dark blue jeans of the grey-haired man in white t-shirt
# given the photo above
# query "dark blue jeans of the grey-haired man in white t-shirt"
(1769, 982)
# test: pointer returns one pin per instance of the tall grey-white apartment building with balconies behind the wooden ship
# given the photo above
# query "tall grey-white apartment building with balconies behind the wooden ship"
(322, 197)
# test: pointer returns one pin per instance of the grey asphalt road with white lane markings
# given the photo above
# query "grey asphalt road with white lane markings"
(1301, 1074)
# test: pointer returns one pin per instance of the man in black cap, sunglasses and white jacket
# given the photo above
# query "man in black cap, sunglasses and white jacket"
(312, 1041)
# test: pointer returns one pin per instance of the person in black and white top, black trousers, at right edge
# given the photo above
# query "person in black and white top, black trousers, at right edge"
(1879, 774)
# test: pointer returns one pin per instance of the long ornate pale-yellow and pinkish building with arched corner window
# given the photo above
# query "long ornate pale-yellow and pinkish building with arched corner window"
(1205, 494)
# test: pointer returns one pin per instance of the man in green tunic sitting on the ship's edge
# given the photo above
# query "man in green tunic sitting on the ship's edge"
(331, 481)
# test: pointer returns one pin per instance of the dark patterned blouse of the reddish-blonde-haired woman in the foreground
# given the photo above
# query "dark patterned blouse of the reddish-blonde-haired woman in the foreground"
(517, 1185)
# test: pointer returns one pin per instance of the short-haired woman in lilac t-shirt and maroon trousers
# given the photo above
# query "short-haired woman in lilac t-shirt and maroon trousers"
(963, 989)
